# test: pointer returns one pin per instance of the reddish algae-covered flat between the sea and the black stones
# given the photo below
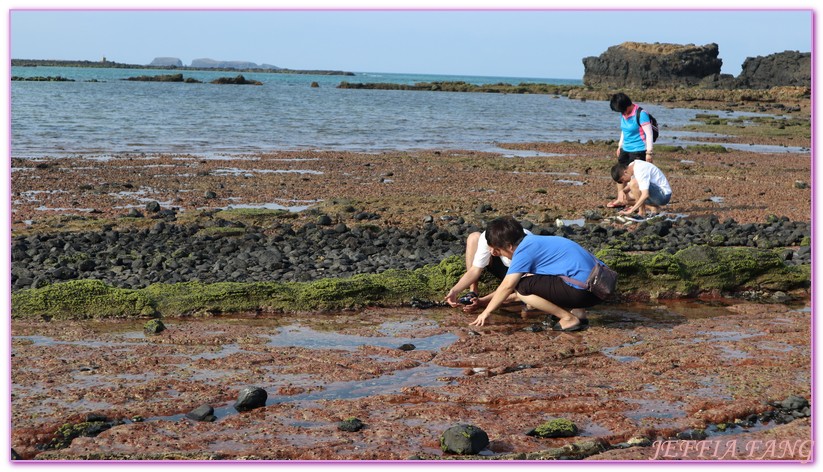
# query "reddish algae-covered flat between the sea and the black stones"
(570, 179)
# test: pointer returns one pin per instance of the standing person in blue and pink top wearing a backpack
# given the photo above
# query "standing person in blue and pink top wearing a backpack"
(636, 141)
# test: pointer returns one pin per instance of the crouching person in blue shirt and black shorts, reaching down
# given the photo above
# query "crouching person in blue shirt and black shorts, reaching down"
(538, 267)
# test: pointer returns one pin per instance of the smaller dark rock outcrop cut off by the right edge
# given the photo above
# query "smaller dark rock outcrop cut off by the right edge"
(788, 68)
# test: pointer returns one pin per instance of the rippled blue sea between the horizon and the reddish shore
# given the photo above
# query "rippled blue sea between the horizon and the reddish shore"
(100, 113)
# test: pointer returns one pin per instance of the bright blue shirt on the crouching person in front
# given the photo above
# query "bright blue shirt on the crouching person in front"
(552, 255)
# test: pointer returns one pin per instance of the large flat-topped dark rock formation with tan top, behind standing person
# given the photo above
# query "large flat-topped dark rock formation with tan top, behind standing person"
(648, 65)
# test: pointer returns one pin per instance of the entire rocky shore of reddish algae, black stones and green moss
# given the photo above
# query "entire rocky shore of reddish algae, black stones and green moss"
(315, 276)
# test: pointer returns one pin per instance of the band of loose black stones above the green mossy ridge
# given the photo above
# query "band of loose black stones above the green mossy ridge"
(226, 251)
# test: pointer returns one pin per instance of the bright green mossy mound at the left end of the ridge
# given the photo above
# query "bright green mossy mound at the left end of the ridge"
(81, 299)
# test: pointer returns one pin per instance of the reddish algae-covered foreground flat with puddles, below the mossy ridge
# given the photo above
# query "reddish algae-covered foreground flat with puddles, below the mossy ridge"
(650, 370)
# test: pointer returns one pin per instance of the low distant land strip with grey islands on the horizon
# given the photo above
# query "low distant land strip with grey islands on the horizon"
(171, 63)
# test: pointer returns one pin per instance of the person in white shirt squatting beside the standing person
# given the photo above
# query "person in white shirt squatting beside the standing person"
(645, 183)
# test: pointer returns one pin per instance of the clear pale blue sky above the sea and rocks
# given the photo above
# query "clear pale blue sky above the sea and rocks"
(531, 43)
